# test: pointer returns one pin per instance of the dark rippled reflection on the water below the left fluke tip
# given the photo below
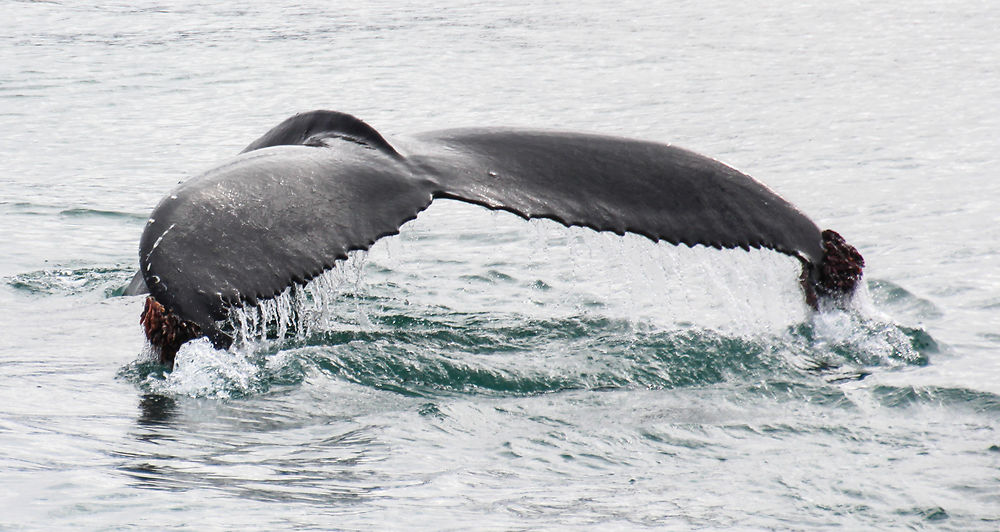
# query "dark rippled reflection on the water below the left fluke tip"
(192, 446)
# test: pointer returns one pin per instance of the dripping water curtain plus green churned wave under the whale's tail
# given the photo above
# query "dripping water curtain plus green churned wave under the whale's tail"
(575, 310)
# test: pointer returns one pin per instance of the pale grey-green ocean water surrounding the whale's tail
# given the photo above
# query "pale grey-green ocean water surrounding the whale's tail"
(482, 372)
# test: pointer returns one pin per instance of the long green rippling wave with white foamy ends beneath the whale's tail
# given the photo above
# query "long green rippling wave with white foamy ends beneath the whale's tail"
(438, 353)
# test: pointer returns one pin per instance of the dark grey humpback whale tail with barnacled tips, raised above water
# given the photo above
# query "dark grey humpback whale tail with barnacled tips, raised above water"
(324, 183)
